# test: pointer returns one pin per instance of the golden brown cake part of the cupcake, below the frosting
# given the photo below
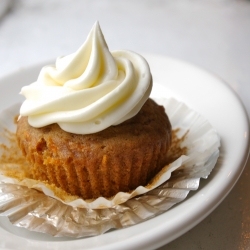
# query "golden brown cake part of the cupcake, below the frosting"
(119, 158)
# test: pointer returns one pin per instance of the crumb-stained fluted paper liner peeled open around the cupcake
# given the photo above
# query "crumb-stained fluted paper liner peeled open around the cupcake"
(26, 207)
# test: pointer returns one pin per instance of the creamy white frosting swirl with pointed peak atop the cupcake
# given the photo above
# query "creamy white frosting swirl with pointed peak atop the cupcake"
(89, 90)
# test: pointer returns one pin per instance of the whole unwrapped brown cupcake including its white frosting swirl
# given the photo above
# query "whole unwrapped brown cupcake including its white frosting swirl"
(88, 126)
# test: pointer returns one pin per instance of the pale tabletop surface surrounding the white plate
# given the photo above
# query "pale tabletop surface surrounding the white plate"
(212, 34)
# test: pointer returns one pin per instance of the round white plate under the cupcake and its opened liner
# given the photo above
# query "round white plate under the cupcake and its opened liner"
(202, 92)
